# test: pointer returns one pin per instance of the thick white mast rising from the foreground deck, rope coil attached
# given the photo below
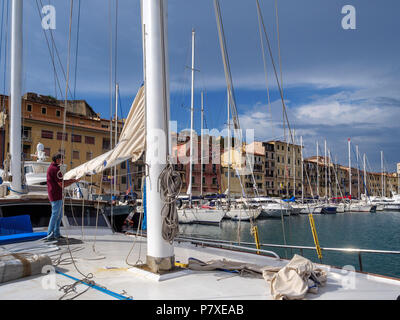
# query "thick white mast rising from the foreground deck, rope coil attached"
(160, 253)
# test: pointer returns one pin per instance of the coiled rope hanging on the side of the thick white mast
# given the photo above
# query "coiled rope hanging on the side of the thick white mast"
(170, 185)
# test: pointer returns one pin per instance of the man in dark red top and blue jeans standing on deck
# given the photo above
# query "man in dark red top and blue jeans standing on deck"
(55, 191)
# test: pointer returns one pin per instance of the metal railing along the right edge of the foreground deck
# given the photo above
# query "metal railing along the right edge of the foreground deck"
(233, 245)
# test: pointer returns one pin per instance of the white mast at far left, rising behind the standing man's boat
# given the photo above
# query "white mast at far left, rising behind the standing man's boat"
(15, 94)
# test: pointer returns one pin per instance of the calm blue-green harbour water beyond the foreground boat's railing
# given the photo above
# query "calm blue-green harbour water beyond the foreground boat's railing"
(378, 231)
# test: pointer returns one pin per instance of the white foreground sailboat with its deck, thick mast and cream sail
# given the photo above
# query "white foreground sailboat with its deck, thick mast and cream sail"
(96, 267)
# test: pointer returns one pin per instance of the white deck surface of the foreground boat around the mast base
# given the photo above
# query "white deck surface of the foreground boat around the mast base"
(111, 271)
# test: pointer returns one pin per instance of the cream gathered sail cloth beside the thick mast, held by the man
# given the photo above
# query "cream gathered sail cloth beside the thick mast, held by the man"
(130, 146)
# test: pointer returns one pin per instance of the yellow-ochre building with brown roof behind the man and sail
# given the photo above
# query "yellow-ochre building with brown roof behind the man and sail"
(86, 135)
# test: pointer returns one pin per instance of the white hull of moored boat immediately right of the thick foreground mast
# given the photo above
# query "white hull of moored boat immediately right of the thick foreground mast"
(204, 216)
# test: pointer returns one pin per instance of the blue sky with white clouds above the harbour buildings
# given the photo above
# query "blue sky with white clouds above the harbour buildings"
(337, 84)
